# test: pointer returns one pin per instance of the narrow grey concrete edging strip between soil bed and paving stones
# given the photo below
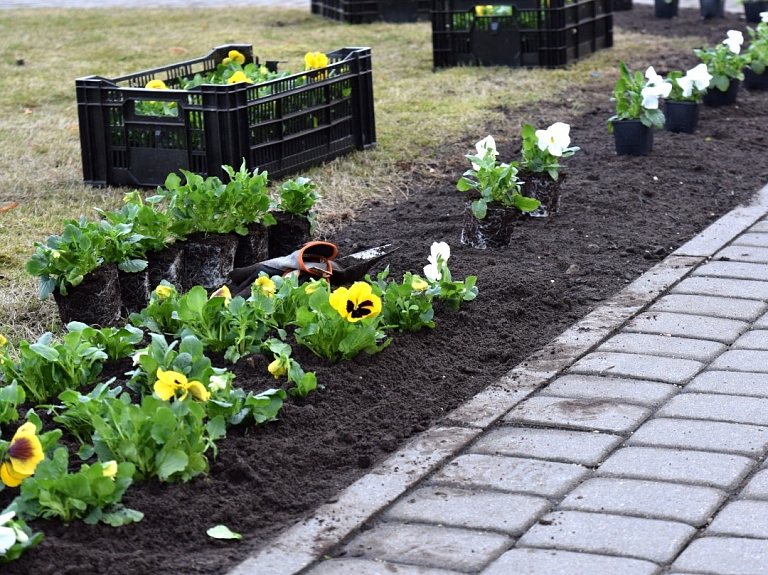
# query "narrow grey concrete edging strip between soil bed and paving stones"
(305, 543)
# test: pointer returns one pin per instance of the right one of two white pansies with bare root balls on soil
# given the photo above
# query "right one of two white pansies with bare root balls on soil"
(540, 168)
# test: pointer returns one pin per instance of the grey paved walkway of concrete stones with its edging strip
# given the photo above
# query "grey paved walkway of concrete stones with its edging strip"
(633, 444)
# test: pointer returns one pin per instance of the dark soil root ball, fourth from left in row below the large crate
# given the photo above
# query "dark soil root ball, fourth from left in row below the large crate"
(208, 259)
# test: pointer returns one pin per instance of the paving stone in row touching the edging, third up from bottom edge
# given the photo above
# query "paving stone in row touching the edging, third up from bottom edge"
(487, 510)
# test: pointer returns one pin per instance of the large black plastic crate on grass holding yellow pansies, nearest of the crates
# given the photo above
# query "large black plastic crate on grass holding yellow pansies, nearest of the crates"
(279, 126)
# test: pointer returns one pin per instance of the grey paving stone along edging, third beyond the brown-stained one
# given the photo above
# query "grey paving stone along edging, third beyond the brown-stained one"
(653, 344)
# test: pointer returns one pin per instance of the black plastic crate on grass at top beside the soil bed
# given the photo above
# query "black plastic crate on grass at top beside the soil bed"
(535, 33)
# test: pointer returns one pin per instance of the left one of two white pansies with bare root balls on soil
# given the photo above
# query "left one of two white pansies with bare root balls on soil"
(496, 199)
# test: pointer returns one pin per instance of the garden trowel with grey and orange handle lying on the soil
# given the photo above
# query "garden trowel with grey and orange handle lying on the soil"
(314, 259)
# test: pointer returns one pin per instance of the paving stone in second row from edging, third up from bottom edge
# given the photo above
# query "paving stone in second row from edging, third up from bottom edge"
(690, 504)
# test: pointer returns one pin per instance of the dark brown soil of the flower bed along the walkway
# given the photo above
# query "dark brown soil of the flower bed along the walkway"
(618, 217)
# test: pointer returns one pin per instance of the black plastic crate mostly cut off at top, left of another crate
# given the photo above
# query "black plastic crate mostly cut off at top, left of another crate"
(367, 11)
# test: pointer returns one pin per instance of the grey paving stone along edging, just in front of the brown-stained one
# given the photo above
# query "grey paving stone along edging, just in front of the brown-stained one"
(583, 447)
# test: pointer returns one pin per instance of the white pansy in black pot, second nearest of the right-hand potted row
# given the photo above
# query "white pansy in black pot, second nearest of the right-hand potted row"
(681, 107)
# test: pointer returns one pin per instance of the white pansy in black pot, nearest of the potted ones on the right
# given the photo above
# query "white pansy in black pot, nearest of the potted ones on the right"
(637, 110)
